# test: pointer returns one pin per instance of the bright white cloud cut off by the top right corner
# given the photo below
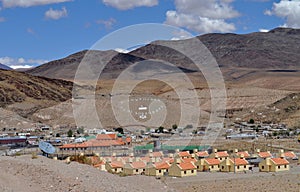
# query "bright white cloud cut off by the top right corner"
(289, 10)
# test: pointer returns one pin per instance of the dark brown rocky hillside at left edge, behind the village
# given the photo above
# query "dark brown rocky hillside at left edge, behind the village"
(25, 94)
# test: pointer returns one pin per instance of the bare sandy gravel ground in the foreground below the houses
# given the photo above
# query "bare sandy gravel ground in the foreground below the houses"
(22, 173)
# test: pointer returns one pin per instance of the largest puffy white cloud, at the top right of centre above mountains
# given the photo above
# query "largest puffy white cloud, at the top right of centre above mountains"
(203, 16)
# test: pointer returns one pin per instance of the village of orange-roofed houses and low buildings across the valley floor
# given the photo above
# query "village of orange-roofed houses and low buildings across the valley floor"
(143, 153)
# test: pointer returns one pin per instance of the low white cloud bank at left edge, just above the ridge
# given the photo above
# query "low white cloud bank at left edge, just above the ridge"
(16, 63)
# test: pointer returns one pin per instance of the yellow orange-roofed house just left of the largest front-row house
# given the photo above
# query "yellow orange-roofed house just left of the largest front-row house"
(157, 169)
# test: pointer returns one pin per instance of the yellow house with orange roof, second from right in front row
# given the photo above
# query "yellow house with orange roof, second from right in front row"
(234, 165)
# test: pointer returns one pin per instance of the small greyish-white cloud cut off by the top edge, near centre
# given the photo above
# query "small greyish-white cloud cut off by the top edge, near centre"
(130, 4)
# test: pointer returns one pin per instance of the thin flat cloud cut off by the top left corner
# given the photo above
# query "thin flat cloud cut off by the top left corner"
(29, 3)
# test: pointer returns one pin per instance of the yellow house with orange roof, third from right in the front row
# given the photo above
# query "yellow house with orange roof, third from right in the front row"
(208, 164)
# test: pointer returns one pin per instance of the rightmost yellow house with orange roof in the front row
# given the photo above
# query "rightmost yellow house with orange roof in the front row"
(274, 165)
